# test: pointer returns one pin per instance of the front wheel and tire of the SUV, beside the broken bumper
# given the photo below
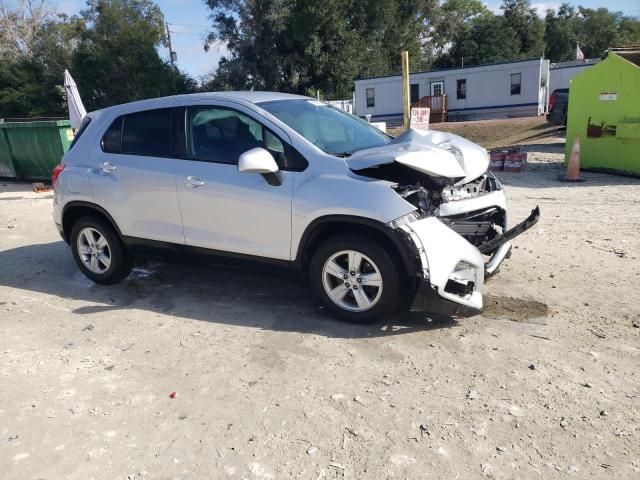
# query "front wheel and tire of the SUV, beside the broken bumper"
(356, 298)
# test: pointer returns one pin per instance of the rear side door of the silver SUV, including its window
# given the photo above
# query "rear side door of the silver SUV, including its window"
(135, 175)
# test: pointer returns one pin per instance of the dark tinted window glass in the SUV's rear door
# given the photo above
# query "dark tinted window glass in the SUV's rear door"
(147, 133)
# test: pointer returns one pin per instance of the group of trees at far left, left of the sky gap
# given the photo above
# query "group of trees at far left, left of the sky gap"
(110, 49)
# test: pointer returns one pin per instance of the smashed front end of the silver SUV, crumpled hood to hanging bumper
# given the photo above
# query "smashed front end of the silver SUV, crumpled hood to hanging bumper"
(459, 226)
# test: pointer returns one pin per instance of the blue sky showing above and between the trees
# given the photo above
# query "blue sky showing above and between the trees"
(189, 22)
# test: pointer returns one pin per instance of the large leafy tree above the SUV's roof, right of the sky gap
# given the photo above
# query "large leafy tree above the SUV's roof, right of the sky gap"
(305, 45)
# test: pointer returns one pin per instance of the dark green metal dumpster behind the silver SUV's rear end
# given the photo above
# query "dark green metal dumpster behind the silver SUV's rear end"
(36, 147)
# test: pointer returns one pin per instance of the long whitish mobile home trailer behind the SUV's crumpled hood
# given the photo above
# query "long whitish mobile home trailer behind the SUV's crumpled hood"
(500, 90)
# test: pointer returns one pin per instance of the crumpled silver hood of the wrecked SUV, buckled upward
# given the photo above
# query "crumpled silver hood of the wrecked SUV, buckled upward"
(438, 154)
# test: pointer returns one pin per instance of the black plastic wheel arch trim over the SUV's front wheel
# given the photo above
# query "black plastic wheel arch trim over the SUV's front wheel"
(328, 226)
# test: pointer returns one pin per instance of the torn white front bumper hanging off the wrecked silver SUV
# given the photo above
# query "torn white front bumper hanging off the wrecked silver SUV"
(454, 268)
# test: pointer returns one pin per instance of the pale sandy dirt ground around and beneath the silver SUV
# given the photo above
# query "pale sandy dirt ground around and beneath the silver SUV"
(543, 384)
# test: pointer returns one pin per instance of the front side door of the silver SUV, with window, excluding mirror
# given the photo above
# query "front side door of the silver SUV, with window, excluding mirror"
(222, 208)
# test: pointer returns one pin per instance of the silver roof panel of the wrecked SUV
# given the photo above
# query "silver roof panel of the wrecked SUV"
(247, 96)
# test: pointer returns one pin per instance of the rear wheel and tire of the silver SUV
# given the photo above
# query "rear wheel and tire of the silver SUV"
(105, 262)
